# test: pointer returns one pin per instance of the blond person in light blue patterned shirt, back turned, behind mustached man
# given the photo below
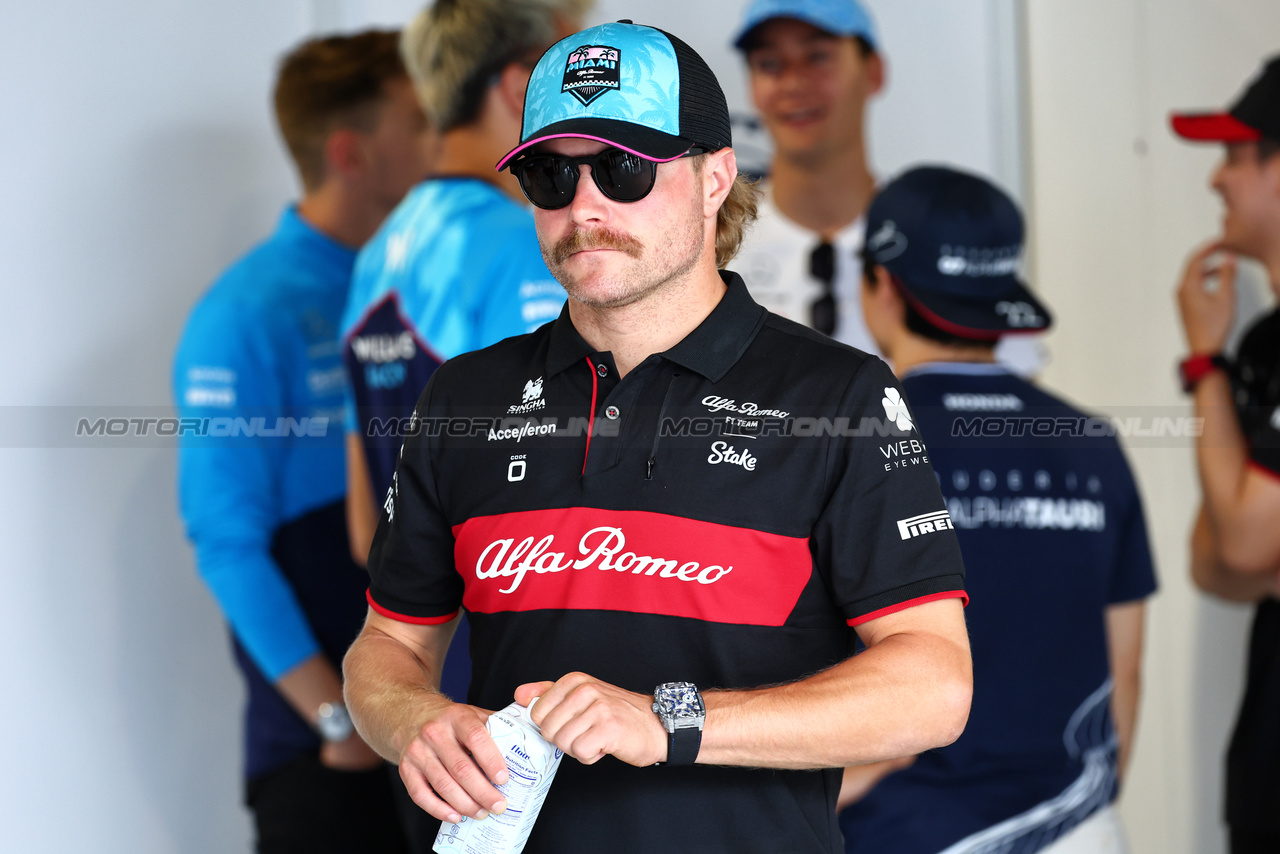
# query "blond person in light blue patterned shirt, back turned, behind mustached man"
(458, 264)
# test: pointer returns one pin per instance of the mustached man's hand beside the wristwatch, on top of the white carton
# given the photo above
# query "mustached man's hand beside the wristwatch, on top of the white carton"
(588, 719)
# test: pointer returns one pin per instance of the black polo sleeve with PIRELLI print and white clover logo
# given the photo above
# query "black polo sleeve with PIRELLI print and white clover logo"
(885, 535)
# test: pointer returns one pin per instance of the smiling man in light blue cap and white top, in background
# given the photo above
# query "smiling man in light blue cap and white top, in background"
(815, 67)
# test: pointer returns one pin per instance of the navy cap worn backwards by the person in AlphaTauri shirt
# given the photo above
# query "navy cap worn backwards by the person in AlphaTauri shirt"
(953, 243)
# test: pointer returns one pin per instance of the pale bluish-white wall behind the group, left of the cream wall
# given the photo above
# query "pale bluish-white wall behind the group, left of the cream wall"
(140, 162)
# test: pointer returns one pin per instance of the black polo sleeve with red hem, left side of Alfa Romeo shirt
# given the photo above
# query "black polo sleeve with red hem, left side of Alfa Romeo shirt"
(412, 568)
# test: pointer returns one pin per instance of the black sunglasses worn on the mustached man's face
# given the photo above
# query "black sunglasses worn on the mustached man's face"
(551, 180)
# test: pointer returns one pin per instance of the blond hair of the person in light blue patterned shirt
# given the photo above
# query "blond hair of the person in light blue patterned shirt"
(454, 49)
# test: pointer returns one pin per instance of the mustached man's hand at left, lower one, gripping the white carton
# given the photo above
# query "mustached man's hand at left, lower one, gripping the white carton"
(452, 765)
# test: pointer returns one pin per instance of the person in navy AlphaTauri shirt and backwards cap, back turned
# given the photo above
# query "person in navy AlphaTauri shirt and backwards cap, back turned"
(1053, 535)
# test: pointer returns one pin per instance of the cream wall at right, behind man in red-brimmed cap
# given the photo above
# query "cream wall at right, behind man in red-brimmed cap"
(1118, 205)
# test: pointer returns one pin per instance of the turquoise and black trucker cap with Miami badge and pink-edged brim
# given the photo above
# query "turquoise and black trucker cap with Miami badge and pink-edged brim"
(630, 86)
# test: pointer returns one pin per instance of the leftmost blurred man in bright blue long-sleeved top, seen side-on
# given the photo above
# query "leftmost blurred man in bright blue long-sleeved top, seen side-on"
(264, 509)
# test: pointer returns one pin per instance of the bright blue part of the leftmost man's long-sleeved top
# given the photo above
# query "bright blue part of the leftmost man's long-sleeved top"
(259, 371)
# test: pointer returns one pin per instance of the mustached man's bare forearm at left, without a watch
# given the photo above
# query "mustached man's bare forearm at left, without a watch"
(392, 689)
